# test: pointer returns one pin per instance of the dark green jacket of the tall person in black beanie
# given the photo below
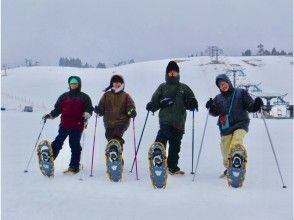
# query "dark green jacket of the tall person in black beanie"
(174, 115)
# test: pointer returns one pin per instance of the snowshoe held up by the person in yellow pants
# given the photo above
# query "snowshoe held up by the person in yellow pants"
(237, 166)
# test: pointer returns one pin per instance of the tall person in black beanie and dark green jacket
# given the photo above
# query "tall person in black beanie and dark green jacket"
(172, 98)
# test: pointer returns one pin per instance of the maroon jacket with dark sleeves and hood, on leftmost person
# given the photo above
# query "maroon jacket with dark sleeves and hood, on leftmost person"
(71, 105)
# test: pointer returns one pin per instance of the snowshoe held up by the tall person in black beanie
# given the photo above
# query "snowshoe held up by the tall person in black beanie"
(157, 165)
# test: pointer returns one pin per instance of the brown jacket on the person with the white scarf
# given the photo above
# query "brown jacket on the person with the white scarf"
(115, 107)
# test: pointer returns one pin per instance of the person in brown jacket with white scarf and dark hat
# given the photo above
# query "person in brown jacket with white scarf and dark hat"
(117, 107)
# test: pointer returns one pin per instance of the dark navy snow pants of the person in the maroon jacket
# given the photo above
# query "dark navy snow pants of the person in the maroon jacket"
(74, 143)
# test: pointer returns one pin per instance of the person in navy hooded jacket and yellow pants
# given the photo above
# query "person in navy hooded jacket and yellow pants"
(232, 106)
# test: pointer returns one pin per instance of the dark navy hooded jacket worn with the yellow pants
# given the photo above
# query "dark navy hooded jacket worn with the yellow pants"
(242, 104)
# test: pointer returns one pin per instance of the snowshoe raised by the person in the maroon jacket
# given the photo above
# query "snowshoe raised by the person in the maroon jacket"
(45, 158)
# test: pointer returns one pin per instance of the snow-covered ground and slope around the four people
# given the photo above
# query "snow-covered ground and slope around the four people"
(32, 196)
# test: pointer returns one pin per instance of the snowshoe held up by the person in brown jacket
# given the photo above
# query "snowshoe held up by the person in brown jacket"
(114, 160)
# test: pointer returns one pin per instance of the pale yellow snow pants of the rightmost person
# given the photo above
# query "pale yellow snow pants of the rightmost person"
(236, 138)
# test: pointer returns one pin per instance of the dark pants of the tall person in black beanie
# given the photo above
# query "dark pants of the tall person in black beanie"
(174, 137)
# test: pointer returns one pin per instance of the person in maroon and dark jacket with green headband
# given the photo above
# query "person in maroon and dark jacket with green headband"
(75, 108)
